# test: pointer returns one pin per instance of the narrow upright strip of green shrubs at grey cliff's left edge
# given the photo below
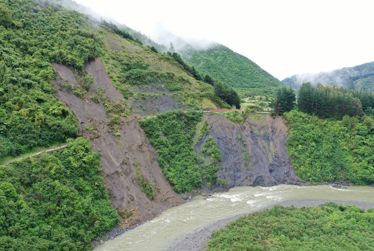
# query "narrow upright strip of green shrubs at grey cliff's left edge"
(210, 162)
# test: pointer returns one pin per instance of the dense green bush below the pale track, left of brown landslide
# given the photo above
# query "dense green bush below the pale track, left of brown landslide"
(54, 201)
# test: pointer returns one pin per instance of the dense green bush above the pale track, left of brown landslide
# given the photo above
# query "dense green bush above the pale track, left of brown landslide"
(32, 37)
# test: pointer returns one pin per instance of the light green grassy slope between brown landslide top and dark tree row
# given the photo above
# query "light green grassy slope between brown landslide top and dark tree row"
(142, 74)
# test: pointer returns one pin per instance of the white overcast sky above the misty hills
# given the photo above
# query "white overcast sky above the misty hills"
(284, 37)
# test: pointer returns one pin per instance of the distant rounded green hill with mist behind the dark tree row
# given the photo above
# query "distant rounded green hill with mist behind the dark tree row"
(232, 69)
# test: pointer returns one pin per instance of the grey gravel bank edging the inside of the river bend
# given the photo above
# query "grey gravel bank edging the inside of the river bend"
(198, 240)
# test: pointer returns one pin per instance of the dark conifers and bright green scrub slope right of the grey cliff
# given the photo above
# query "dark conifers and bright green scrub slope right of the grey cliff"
(331, 133)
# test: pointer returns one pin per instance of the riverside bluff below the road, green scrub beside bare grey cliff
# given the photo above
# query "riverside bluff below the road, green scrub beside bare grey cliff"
(211, 151)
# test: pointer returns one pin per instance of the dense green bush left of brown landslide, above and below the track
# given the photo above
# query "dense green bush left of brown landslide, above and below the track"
(55, 200)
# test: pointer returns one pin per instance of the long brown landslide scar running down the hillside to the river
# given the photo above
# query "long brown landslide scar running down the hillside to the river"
(130, 168)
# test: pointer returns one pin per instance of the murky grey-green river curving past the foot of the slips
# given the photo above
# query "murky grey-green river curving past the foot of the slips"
(173, 224)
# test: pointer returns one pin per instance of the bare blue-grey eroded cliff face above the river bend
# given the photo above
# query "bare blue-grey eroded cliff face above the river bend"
(252, 153)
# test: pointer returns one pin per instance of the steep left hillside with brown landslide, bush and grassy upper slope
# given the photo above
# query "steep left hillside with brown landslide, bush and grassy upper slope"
(53, 88)
